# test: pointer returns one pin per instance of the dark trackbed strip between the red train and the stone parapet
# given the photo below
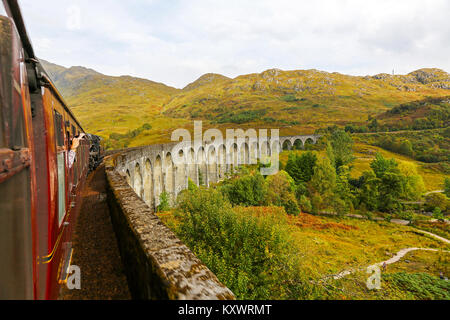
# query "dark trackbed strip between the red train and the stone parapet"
(95, 248)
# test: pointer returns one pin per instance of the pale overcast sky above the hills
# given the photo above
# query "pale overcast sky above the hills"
(176, 41)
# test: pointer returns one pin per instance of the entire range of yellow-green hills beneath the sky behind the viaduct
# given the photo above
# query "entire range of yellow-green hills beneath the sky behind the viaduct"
(299, 101)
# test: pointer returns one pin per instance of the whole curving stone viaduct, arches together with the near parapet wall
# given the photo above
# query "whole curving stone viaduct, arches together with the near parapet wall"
(157, 264)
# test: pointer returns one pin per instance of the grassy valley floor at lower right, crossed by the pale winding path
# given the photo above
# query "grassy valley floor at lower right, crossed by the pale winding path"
(330, 246)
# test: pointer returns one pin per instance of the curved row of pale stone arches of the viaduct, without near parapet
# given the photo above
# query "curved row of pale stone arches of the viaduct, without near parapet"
(155, 169)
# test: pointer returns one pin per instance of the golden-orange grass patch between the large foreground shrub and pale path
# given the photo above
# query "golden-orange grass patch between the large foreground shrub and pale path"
(331, 245)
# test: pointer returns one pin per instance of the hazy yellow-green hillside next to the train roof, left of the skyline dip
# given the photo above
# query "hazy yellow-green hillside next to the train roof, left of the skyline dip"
(106, 104)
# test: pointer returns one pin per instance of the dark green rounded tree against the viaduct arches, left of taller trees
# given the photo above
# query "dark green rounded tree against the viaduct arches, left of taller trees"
(301, 167)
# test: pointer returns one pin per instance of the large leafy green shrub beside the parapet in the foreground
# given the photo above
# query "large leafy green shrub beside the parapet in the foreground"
(249, 254)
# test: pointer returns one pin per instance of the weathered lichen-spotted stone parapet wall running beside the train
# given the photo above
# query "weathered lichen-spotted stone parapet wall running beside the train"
(158, 265)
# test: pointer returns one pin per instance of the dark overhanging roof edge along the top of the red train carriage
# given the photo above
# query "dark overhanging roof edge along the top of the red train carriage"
(13, 10)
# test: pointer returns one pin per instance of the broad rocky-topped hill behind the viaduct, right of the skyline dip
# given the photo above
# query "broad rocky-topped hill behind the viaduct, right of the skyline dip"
(307, 98)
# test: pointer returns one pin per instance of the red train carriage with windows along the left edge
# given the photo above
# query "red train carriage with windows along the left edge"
(39, 191)
